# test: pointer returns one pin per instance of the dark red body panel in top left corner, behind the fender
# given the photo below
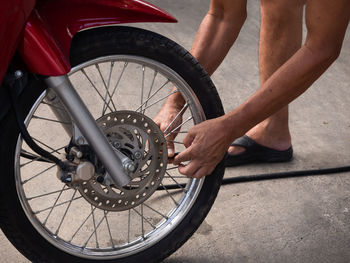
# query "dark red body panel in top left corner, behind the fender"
(13, 16)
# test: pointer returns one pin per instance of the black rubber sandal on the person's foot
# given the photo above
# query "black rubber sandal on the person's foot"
(256, 153)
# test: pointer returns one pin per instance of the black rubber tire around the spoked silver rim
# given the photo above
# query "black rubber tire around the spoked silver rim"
(86, 46)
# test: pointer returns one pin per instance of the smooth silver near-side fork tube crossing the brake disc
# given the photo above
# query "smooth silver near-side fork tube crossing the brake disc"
(87, 125)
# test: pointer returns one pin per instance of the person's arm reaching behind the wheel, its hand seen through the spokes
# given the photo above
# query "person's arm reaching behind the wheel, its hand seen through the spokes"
(216, 34)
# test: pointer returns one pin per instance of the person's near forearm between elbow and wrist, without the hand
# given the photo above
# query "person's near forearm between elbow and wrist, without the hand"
(286, 84)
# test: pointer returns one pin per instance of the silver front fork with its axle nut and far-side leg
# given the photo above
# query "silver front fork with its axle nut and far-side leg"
(116, 163)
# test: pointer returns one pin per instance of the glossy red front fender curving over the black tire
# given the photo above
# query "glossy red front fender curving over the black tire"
(52, 25)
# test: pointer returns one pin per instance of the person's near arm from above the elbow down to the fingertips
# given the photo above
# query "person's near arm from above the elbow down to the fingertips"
(208, 142)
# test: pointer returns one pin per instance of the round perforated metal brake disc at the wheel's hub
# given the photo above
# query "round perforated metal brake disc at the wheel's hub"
(139, 138)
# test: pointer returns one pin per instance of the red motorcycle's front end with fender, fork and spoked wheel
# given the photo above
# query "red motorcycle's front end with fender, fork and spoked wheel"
(85, 172)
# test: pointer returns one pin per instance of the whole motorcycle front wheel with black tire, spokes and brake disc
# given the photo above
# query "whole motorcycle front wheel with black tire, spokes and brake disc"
(123, 75)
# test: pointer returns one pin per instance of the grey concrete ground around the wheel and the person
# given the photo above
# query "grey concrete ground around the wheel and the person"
(289, 220)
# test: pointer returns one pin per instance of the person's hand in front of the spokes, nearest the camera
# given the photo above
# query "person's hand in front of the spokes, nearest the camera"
(206, 145)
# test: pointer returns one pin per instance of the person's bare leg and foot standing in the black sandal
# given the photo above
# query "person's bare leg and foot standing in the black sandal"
(280, 38)
